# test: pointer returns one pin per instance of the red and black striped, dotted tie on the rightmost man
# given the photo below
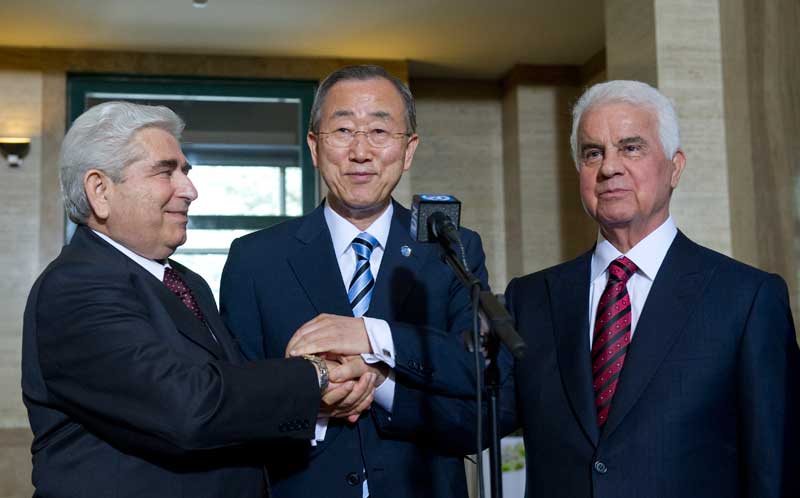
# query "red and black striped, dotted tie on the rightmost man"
(612, 335)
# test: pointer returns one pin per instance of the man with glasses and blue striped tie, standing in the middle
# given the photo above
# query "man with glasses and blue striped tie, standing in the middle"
(348, 282)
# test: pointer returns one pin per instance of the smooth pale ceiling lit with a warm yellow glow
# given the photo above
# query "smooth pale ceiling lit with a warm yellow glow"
(439, 38)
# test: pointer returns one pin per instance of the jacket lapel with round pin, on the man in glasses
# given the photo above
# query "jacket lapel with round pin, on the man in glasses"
(397, 273)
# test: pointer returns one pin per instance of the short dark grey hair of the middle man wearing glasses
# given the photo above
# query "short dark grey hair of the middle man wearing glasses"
(362, 73)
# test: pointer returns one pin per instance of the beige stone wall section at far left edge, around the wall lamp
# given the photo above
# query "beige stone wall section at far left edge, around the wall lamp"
(21, 102)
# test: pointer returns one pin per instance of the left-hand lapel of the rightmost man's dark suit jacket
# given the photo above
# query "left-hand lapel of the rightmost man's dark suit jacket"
(569, 299)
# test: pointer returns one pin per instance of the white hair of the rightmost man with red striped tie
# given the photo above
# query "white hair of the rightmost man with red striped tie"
(634, 93)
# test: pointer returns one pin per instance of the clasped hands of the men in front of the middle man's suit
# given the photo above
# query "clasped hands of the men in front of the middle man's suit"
(340, 341)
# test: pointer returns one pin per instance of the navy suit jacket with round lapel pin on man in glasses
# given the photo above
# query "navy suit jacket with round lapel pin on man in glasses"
(277, 279)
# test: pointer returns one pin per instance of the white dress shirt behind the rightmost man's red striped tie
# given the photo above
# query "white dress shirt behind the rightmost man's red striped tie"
(647, 255)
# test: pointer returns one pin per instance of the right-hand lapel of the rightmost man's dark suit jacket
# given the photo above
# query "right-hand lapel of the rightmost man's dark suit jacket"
(671, 301)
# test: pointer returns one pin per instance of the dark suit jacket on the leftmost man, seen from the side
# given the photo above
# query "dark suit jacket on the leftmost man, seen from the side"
(129, 395)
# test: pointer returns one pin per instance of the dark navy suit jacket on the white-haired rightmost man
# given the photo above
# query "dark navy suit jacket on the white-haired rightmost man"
(707, 402)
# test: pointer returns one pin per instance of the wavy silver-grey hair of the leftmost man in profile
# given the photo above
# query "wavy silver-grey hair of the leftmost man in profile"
(102, 138)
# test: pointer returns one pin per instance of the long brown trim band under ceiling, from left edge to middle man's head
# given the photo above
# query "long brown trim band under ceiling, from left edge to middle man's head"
(176, 64)
